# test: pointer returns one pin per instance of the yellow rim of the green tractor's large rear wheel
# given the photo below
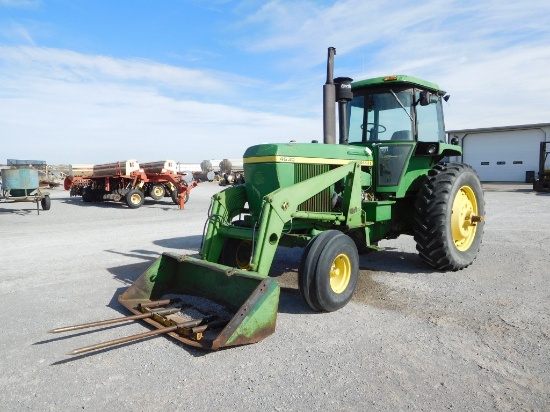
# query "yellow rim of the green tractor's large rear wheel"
(463, 223)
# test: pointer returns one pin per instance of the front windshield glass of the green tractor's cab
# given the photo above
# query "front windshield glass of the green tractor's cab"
(381, 117)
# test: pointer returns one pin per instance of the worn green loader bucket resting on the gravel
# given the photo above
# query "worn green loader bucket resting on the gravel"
(243, 303)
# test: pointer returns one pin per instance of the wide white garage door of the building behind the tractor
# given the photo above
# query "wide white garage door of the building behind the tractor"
(503, 156)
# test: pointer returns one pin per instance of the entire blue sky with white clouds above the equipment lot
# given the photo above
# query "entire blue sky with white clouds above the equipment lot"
(100, 81)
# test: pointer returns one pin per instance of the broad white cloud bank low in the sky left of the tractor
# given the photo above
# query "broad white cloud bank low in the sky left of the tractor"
(65, 107)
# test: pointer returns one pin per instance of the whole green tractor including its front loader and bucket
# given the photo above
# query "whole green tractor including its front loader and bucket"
(386, 177)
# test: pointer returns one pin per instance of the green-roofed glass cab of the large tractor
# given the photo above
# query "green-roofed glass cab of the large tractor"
(399, 119)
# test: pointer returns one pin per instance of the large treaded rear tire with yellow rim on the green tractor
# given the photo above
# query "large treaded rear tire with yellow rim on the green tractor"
(448, 220)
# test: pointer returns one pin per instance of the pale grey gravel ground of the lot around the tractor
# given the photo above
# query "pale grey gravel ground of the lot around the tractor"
(412, 338)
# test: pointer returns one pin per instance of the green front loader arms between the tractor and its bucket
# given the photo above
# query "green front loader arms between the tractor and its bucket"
(279, 208)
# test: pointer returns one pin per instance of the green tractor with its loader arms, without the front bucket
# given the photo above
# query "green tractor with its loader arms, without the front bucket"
(384, 179)
